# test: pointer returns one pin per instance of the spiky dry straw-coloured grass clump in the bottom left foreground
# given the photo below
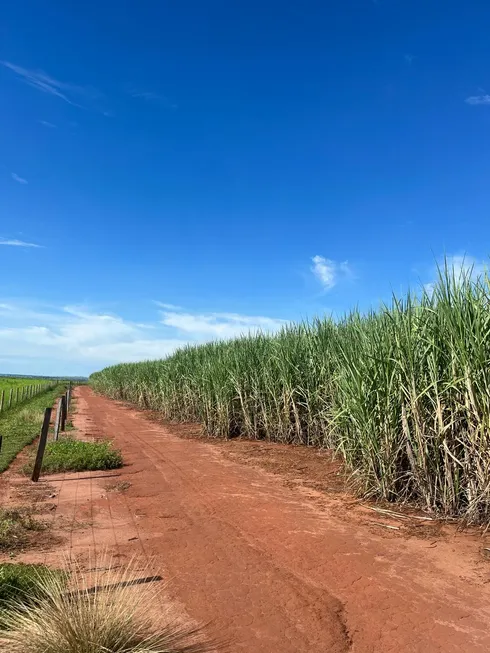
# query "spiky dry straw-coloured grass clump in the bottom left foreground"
(102, 613)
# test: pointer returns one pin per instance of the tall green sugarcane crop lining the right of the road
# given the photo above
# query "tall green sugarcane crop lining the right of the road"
(402, 393)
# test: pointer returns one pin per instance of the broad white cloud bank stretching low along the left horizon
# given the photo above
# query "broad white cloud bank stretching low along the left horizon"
(77, 340)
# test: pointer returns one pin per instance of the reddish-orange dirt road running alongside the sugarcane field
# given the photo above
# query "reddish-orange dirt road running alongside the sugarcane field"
(272, 570)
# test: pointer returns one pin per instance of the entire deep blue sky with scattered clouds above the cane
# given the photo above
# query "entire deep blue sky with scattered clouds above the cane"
(172, 172)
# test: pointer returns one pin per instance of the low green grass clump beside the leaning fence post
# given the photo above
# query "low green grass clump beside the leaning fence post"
(69, 455)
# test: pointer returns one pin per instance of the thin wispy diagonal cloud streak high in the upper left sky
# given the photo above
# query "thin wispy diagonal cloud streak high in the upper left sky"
(85, 95)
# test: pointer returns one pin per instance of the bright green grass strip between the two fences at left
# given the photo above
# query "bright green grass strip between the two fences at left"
(21, 425)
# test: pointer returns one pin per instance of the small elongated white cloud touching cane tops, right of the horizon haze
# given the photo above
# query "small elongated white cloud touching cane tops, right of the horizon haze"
(219, 325)
